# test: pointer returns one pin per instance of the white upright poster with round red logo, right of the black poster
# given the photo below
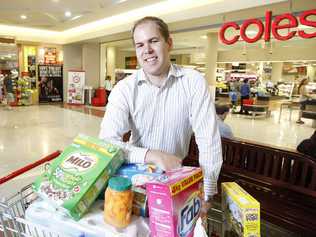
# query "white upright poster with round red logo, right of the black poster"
(75, 90)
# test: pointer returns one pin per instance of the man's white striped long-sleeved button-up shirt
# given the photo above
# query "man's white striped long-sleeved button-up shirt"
(164, 118)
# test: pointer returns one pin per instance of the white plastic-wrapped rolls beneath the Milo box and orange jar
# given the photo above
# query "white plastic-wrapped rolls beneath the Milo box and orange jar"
(90, 225)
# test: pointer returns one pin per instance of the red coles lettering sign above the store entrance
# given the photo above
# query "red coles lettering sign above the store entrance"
(265, 29)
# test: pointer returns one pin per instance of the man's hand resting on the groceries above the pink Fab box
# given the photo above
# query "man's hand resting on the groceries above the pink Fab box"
(163, 160)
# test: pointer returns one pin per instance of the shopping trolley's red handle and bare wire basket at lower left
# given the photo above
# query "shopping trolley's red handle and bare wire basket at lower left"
(12, 209)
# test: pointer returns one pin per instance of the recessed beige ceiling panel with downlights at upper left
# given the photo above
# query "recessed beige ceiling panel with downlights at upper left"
(50, 14)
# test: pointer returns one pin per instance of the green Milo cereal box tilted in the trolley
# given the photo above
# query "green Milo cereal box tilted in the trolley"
(74, 179)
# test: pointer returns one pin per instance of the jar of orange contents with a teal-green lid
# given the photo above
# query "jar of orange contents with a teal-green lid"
(118, 202)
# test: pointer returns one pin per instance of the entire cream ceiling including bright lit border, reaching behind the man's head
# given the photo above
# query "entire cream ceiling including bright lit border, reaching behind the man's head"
(99, 18)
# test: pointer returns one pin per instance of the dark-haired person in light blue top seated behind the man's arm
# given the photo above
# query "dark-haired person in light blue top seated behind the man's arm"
(224, 129)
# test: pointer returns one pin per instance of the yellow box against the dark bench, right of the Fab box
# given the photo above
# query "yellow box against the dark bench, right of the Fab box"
(241, 211)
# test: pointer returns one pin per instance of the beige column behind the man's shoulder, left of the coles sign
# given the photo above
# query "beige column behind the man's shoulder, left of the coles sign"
(211, 60)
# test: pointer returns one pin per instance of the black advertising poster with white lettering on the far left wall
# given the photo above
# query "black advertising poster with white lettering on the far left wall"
(50, 83)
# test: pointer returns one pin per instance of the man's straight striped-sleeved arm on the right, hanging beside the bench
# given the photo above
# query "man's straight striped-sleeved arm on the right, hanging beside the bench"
(207, 136)
